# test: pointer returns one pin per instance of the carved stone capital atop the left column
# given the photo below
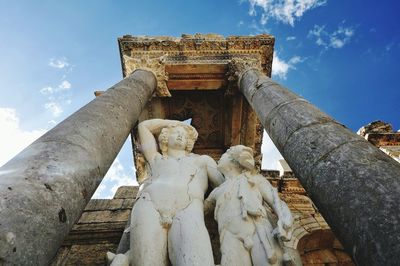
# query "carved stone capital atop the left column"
(156, 65)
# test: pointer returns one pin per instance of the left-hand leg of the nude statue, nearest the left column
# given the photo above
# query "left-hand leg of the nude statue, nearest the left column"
(148, 238)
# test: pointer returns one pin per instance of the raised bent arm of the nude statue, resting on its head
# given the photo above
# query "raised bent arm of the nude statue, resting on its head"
(146, 130)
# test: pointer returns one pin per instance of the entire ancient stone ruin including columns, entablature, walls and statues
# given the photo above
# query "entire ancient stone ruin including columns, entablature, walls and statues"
(333, 202)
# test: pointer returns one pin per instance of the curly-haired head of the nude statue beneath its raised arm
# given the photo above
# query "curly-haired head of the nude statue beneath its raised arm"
(180, 137)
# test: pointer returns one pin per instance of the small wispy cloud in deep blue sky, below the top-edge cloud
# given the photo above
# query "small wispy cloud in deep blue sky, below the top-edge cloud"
(336, 39)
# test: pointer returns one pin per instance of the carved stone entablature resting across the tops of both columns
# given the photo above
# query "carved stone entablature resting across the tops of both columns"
(193, 61)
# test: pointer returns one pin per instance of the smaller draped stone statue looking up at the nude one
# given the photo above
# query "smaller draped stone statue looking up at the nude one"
(249, 233)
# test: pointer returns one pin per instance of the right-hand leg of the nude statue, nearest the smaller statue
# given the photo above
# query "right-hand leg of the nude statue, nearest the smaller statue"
(188, 239)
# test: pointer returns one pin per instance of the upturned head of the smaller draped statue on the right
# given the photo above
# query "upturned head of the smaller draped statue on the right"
(239, 157)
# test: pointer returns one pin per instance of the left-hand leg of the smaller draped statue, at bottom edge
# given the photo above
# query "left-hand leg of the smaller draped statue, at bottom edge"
(233, 252)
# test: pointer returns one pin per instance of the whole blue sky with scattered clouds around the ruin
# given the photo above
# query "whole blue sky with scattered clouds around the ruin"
(343, 56)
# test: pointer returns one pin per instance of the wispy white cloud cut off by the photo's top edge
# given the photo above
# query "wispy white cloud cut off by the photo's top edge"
(285, 11)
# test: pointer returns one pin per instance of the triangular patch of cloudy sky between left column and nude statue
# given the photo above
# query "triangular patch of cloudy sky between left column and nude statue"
(115, 177)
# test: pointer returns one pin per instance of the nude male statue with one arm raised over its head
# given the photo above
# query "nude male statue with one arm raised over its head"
(167, 220)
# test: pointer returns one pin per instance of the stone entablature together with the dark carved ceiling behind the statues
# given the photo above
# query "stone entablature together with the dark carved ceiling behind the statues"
(197, 71)
